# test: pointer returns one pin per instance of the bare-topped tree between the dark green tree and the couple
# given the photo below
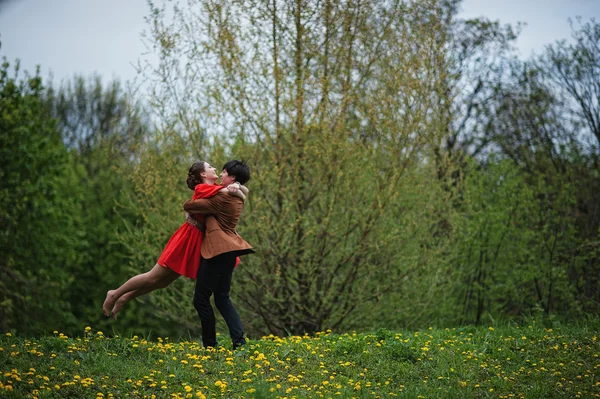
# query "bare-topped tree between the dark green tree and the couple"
(103, 126)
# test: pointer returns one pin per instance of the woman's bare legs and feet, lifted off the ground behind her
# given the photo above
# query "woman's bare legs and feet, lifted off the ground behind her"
(157, 277)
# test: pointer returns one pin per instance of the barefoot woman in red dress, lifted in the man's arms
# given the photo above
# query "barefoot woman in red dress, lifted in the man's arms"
(181, 255)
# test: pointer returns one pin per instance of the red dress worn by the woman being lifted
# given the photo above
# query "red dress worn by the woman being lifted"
(182, 252)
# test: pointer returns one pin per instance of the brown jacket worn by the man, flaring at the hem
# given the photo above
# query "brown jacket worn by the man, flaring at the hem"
(223, 213)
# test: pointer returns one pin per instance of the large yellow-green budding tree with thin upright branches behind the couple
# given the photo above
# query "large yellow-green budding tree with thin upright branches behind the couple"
(331, 102)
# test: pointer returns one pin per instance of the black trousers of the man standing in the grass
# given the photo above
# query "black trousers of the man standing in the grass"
(214, 276)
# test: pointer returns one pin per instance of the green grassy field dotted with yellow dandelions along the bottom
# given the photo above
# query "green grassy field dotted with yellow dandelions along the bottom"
(529, 361)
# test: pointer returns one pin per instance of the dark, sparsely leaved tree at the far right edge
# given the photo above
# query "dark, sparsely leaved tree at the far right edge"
(542, 119)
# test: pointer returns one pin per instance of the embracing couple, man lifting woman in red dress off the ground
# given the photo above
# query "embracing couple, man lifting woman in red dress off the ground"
(206, 248)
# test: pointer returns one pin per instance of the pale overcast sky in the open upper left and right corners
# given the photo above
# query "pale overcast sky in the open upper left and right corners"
(67, 37)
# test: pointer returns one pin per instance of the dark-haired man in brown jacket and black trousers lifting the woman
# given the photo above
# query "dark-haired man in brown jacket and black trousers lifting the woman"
(221, 246)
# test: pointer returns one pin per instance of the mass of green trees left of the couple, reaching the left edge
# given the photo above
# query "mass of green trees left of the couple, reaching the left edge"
(65, 159)
